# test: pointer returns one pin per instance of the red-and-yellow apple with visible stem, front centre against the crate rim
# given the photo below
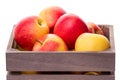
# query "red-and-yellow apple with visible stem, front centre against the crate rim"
(50, 42)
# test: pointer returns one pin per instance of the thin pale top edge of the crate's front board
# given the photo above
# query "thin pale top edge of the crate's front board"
(59, 52)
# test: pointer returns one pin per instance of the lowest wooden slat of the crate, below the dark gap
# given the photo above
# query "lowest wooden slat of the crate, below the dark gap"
(60, 77)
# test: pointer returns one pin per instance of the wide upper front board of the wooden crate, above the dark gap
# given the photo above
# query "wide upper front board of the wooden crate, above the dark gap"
(60, 62)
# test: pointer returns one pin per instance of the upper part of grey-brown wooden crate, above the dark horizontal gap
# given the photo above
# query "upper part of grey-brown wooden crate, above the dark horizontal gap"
(62, 61)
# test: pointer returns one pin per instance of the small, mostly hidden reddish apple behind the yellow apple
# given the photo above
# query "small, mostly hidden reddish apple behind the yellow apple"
(93, 28)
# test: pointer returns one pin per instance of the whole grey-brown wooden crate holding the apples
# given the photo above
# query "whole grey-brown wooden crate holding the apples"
(61, 61)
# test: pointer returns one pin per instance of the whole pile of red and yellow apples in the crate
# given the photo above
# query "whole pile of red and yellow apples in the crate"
(56, 30)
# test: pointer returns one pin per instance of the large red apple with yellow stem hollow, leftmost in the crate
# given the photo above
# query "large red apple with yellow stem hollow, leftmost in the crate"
(28, 30)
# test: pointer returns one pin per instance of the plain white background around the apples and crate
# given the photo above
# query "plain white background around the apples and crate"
(98, 11)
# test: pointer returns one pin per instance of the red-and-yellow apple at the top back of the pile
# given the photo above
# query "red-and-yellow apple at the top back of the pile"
(51, 14)
